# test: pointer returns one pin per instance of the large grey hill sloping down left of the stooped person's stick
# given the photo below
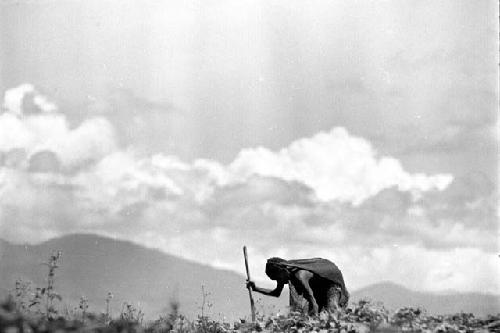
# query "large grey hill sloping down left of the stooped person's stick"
(93, 265)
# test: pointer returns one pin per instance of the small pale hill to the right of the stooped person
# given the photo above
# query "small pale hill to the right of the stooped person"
(394, 296)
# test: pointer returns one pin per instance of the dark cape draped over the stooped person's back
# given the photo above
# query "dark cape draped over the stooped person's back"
(323, 268)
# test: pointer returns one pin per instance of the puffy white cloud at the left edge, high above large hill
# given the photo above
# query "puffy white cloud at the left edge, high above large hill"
(50, 131)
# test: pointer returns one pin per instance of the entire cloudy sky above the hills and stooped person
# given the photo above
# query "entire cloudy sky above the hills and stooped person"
(364, 132)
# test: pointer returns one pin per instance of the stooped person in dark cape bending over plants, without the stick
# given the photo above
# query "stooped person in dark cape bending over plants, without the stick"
(315, 284)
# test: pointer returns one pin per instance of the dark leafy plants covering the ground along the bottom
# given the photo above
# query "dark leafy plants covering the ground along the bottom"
(42, 309)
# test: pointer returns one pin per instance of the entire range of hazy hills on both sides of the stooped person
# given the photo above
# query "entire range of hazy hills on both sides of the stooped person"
(93, 265)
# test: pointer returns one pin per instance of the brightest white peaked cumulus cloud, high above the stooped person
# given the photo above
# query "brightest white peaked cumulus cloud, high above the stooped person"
(337, 166)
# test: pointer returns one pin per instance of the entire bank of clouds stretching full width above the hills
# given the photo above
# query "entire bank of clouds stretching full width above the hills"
(329, 195)
